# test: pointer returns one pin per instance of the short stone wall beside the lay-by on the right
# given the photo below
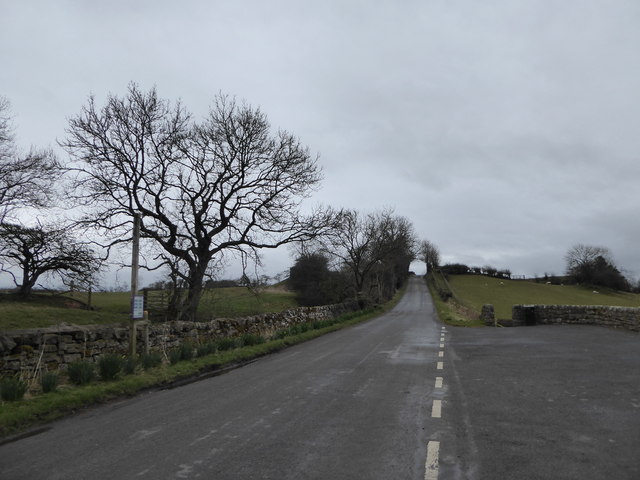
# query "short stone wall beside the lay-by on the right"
(618, 317)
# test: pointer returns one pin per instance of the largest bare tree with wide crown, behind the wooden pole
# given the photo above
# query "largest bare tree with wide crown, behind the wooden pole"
(224, 185)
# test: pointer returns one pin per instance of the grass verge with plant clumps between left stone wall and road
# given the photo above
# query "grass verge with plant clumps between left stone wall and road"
(66, 399)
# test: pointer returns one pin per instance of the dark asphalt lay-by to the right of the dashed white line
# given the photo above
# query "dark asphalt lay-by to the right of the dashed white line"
(543, 402)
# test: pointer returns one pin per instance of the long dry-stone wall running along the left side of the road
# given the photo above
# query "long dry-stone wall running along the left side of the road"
(56, 347)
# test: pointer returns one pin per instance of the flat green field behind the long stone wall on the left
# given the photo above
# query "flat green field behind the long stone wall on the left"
(113, 307)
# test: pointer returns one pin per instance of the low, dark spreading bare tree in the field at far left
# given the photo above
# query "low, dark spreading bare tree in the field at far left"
(41, 250)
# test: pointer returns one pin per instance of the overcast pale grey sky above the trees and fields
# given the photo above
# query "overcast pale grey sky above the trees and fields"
(505, 131)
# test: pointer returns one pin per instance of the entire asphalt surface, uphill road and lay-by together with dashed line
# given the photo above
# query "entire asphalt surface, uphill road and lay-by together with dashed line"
(398, 397)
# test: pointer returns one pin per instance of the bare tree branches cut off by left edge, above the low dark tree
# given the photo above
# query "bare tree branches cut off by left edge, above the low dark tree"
(26, 180)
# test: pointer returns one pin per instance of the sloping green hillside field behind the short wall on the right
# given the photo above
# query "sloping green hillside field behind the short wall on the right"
(476, 290)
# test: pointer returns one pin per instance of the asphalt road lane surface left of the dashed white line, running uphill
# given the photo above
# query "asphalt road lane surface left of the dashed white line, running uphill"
(349, 405)
